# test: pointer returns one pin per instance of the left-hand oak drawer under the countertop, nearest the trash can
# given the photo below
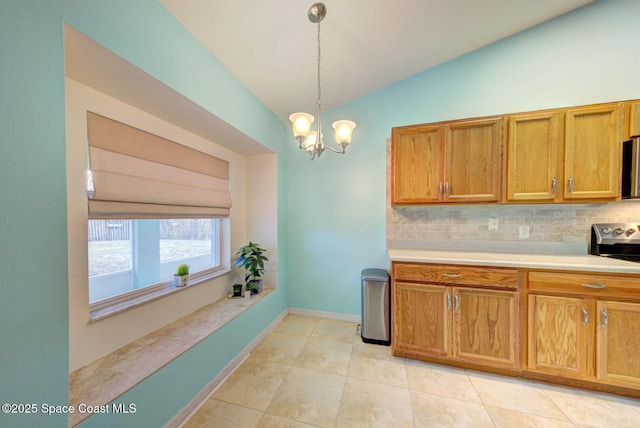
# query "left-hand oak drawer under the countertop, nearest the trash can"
(456, 275)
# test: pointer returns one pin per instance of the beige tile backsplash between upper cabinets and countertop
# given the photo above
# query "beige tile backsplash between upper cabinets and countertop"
(557, 227)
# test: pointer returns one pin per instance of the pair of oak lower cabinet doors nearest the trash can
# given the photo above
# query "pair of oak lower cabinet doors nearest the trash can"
(463, 324)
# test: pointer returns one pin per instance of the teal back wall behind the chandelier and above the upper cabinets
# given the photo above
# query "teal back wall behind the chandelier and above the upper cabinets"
(336, 205)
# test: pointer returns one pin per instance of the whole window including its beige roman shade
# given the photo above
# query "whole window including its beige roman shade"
(153, 204)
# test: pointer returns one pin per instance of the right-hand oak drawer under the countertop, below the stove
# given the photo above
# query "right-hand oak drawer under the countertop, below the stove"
(591, 284)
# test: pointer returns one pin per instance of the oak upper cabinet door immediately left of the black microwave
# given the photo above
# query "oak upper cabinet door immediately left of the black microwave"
(592, 152)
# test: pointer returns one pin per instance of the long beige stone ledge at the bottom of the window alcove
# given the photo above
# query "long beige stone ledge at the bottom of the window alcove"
(103, 381)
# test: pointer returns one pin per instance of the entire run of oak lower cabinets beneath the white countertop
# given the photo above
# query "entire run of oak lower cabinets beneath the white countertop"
(579, 328)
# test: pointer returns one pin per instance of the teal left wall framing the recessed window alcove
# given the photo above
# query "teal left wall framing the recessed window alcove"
(33, 220)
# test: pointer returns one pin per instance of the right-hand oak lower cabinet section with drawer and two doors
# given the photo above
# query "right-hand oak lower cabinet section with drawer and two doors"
(586, 328)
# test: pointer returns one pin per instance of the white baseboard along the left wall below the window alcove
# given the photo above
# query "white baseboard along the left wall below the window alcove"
(196, 402)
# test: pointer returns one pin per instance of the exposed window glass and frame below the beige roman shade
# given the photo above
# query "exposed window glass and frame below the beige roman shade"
(133, 258)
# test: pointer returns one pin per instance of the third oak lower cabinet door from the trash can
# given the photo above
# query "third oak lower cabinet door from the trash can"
(558, 332)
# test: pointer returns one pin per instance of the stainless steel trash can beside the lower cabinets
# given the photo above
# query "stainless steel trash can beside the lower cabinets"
(376, 316)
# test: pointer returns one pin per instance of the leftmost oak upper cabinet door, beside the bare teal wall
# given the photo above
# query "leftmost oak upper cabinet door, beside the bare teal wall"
(416, 164)
